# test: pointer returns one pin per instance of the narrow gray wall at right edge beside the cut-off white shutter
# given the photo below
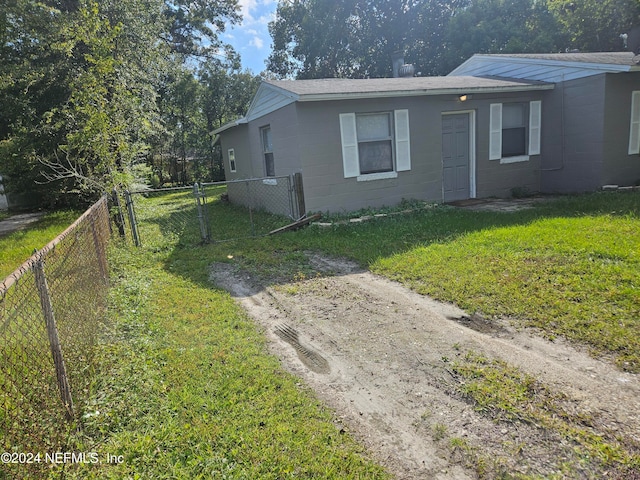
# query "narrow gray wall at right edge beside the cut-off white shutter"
(619, 168)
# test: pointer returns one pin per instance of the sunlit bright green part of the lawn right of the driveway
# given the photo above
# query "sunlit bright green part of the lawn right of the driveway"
(576, 277)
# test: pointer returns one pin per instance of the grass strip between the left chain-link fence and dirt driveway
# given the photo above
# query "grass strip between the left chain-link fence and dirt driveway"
(188, 390)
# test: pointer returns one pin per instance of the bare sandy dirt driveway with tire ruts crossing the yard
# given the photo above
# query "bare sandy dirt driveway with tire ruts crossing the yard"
(377, 354)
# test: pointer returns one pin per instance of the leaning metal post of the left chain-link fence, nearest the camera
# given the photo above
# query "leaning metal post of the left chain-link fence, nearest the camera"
(52, 333)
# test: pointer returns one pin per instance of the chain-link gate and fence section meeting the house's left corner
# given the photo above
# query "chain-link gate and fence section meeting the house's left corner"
(214, 212)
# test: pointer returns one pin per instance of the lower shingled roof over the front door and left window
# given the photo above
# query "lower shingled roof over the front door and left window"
(275, 94)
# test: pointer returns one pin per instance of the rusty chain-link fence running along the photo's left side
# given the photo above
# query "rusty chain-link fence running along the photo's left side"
(50, 309)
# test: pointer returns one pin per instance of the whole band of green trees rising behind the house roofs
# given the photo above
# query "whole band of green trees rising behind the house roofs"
(355, 39)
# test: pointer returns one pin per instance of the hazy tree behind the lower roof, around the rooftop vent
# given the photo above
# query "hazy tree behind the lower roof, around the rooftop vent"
(355, 39)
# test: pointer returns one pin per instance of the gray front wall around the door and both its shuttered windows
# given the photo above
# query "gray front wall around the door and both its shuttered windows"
(326, 189)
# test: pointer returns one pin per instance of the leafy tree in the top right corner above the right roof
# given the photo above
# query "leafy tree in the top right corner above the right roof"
(596, 25)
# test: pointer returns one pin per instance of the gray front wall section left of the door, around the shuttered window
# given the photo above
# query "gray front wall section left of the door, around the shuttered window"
(325, 187)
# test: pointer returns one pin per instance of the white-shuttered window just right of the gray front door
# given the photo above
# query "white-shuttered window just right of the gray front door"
(514, 131)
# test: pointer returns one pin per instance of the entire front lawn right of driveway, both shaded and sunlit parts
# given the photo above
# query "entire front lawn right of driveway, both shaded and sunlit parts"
(568, 267)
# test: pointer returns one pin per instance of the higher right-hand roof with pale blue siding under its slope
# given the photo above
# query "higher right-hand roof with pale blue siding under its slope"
(550, 67)
